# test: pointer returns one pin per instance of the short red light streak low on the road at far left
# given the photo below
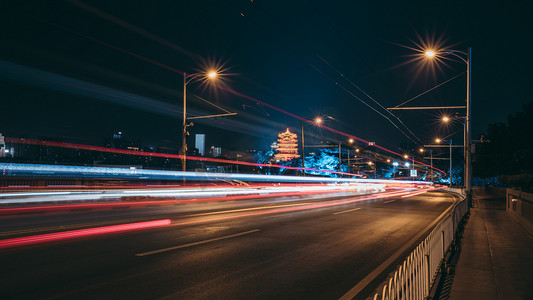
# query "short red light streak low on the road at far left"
(57, 236)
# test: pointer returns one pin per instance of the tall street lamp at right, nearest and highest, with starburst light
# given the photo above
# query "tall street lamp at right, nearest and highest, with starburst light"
(467, 138)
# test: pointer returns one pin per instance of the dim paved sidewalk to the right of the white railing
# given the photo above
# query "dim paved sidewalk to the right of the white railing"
(496, 258)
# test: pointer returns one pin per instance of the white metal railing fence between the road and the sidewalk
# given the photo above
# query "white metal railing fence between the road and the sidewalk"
(415, 277)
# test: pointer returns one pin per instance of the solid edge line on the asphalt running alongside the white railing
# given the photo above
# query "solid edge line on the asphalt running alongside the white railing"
(370, 277)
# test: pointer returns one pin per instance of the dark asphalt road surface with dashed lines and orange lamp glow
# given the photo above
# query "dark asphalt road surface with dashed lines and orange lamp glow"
(264, 249)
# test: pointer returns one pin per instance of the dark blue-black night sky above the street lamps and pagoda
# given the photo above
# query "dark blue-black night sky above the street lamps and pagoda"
(82, 70)
